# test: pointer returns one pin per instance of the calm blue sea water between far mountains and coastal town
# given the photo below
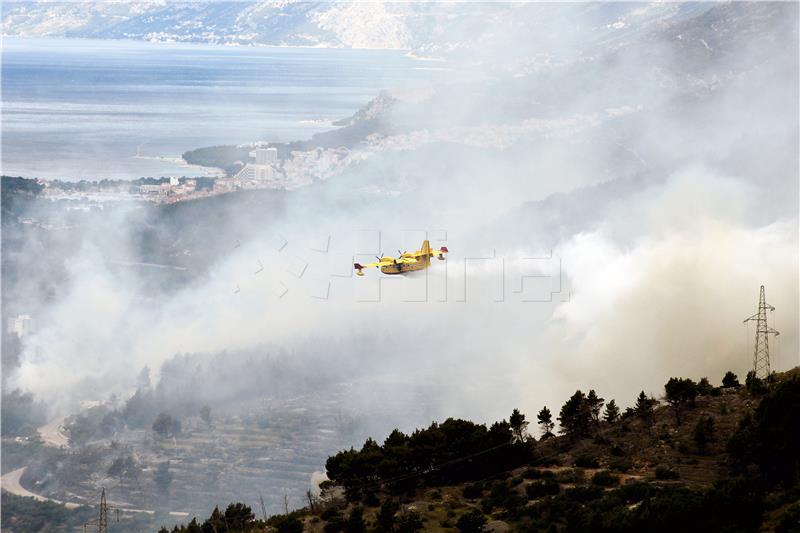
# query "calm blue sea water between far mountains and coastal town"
(93, 109)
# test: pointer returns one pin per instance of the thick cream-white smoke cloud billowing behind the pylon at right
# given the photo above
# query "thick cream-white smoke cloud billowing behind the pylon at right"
(669, 298)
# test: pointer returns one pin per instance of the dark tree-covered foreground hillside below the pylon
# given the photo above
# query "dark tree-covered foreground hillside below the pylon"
(700, 458)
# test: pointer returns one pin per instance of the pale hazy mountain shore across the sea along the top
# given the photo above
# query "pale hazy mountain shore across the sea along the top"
(428, 28)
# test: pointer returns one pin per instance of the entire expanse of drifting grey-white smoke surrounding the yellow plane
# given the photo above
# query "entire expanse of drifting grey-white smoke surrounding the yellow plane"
(610, 214)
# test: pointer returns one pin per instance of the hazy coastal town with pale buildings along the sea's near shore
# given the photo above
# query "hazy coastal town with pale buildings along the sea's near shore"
(258, 165)
